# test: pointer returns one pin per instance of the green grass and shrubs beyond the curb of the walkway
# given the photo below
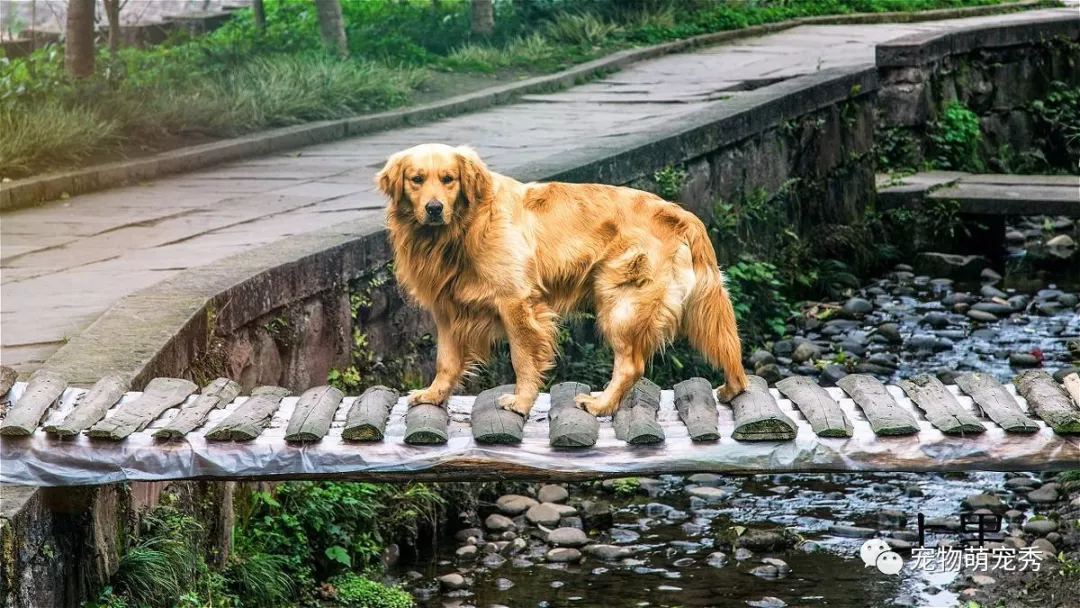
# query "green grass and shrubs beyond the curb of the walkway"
(246, 77)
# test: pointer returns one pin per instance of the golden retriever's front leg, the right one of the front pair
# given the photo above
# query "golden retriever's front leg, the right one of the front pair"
(532, 331)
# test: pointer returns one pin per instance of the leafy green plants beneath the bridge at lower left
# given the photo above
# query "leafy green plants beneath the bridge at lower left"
(304, 544)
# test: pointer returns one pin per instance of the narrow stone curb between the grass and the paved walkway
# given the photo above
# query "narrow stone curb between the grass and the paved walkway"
(44, 188)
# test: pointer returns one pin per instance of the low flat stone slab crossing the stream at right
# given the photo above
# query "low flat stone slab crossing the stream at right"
(988, 195)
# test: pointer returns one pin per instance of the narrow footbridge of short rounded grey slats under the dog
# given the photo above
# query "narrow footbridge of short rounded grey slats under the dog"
(56, 436)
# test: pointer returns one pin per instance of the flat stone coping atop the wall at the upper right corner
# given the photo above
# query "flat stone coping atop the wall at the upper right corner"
(923, 49)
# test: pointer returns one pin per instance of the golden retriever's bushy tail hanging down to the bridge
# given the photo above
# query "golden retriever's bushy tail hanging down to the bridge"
(710, 319)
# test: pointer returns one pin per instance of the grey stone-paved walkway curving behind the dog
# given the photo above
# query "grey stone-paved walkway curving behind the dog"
(64, 264)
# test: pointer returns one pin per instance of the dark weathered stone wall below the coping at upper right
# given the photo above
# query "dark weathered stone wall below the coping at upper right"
(997, 73)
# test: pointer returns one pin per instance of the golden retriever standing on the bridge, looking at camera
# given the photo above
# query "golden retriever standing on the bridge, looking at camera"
(494, 259)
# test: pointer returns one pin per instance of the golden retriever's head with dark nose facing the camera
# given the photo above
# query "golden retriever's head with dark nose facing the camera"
(435, 184)
